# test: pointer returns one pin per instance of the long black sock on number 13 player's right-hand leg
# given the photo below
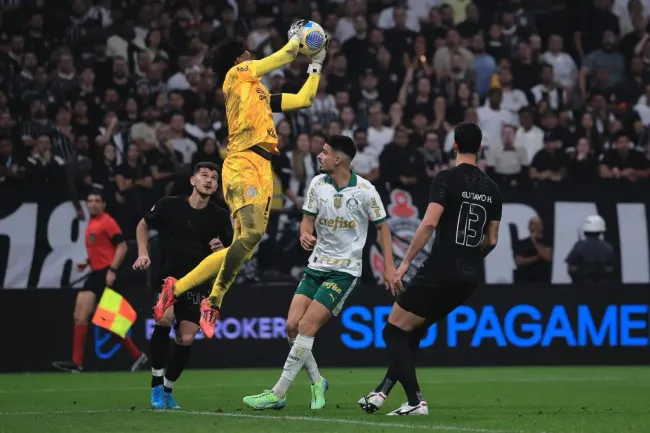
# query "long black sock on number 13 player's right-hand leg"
(398, 348)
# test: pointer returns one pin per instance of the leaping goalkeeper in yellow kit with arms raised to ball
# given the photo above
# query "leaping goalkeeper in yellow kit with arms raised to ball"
(247, 174)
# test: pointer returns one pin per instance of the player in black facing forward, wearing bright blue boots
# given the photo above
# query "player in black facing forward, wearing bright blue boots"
(189, 229)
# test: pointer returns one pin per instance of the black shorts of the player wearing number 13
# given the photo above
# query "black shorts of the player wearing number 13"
(434, 301)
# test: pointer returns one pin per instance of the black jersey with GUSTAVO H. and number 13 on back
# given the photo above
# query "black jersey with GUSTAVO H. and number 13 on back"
(470, 200)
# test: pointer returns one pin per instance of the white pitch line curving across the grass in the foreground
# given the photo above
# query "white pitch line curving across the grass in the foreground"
(344, 421)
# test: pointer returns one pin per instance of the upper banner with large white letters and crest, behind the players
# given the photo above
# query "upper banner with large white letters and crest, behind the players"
(40, 237)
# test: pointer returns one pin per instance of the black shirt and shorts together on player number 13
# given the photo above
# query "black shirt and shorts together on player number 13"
(455, 266)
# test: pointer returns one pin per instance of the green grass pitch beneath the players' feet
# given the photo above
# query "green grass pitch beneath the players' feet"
(481, 400)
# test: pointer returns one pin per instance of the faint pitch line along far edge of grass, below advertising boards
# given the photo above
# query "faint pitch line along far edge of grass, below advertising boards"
(342, 384)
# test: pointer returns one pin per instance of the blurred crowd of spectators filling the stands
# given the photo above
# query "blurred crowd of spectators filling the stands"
(116, 95)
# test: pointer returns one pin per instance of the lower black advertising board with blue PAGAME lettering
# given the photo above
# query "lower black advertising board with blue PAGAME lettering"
(500, 325)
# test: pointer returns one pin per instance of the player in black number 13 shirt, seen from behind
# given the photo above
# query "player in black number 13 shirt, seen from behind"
(464, 210)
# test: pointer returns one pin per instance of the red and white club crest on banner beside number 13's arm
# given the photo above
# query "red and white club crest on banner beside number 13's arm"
(403, 220)
